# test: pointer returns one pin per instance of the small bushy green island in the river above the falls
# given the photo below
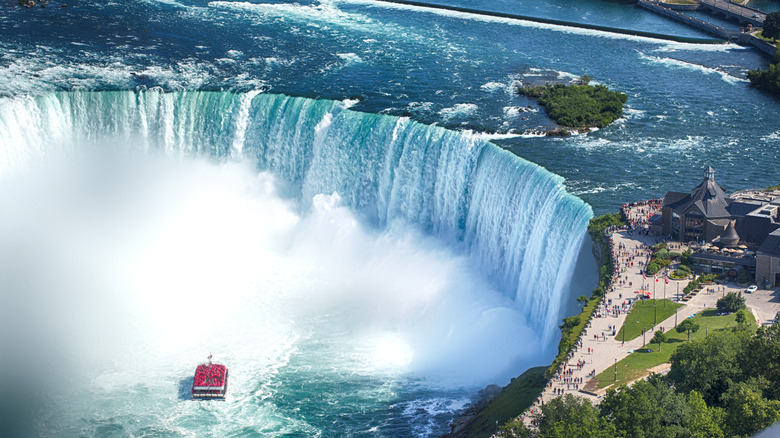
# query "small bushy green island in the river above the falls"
(578, 105)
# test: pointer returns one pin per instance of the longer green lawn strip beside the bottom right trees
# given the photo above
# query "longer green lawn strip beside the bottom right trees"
(636, 364)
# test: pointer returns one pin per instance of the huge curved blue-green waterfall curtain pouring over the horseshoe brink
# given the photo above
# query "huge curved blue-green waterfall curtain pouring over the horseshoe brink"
(513, 218)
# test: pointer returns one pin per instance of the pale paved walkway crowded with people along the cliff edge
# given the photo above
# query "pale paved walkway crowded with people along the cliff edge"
(600, 352)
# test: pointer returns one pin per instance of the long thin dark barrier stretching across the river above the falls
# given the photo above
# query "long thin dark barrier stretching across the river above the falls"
(679, 39)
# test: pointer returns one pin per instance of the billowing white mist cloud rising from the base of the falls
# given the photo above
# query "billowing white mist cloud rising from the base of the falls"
(117, 269)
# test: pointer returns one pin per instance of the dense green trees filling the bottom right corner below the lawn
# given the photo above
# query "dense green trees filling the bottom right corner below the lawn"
(725, 385)
